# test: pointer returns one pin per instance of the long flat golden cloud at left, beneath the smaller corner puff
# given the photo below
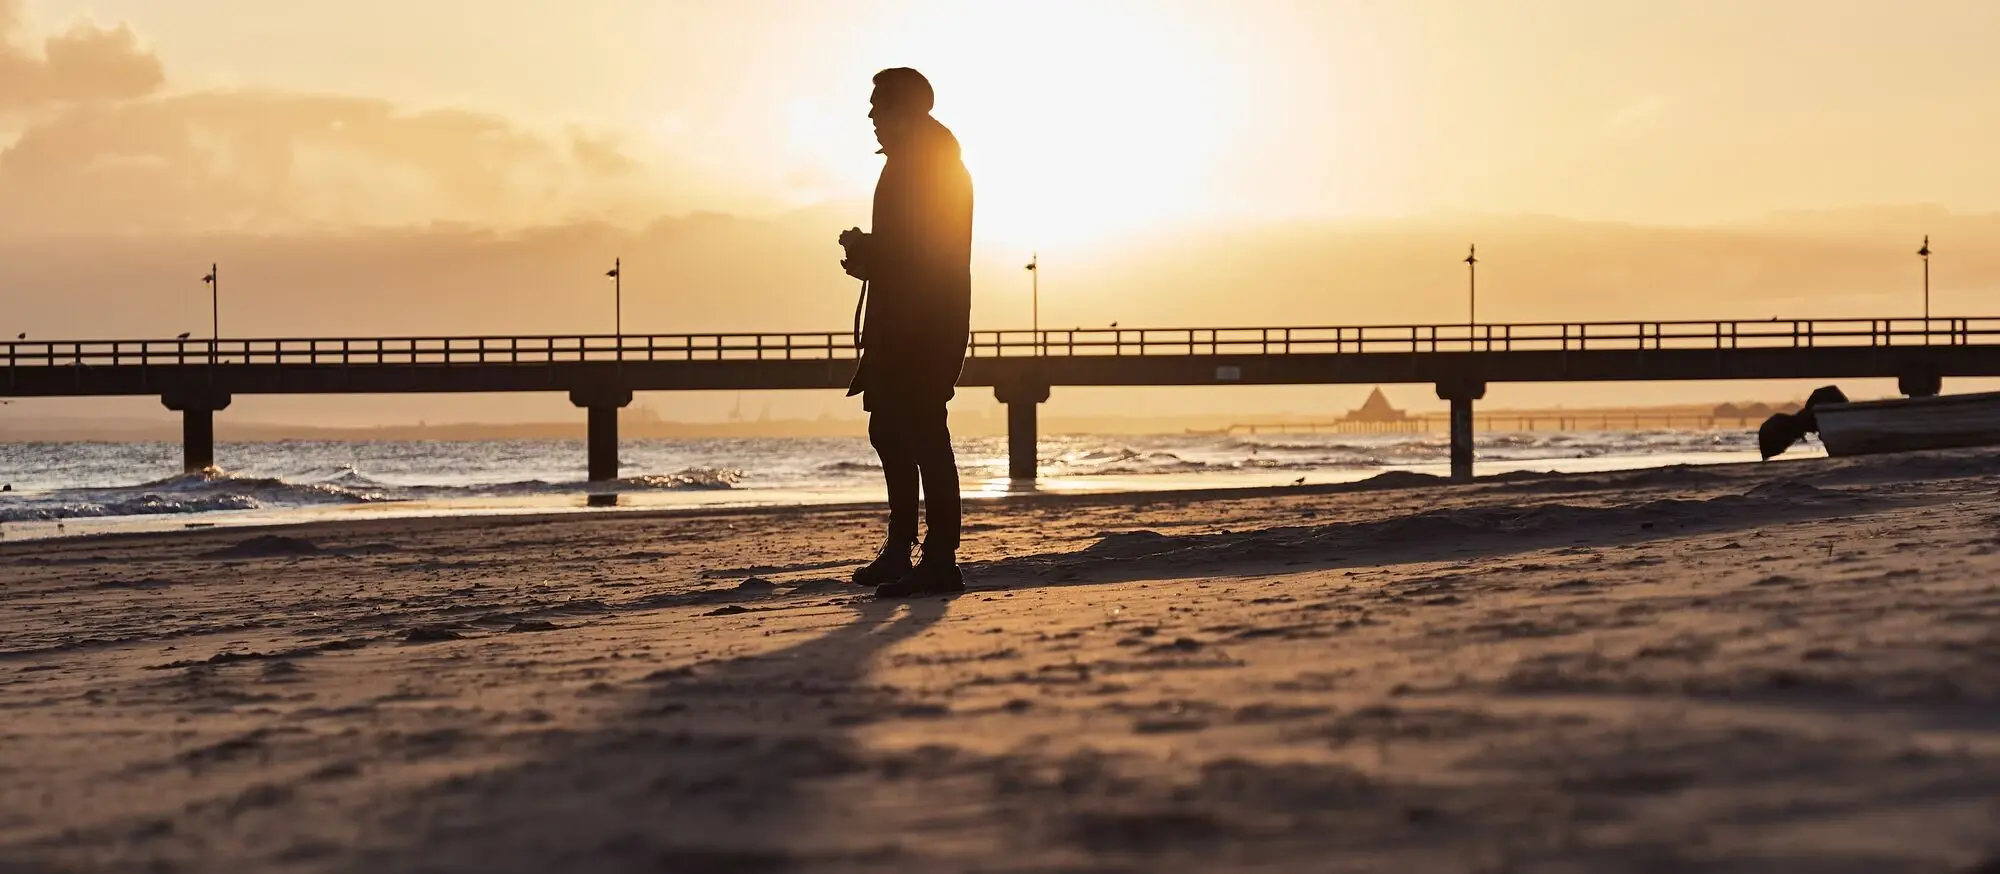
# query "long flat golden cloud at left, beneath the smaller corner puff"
(273, 161)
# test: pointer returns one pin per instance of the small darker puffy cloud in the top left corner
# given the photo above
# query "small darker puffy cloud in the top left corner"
(81, 65)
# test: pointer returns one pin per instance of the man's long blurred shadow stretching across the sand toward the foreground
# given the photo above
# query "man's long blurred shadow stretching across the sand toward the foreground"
(709, 769)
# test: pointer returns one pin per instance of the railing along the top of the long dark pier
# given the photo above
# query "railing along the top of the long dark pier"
(547, 349)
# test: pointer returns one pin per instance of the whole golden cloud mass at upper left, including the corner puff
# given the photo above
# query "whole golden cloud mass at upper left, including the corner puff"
(93, 141)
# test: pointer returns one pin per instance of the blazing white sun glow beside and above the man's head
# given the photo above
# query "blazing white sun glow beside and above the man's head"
(1077, 121)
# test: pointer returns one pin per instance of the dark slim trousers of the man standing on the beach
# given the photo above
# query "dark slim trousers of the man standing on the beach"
(915, 445)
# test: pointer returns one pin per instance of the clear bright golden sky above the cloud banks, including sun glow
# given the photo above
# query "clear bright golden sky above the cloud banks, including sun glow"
(1141, 111)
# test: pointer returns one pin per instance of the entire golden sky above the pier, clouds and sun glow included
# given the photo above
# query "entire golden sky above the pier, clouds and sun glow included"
(1091, 127)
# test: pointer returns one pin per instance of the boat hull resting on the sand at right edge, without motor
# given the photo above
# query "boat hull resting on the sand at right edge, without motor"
(1903, 425)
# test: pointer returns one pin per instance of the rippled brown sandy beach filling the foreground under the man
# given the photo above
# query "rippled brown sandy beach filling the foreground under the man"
(1737, 669)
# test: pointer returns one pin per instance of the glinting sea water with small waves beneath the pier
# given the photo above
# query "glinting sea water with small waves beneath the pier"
(101, 487)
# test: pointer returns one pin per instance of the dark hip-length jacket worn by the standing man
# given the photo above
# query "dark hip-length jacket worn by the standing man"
(919, 269)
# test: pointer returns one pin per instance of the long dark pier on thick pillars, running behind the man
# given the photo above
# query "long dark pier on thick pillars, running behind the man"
(601, 373)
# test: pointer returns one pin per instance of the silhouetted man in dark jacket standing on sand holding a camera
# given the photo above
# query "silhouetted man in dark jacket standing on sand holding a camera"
(917, 265)
